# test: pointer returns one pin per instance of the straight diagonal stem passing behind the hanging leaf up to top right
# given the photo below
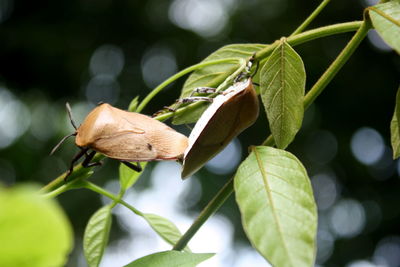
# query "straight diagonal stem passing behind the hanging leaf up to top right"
(332, 70)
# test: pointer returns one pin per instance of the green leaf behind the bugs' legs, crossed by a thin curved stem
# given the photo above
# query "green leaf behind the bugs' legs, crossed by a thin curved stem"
(214, 75)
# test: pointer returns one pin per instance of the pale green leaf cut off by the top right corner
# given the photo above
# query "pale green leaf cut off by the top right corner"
(386, 20)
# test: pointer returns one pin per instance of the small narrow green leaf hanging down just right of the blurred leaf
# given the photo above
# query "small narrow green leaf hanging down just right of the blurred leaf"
(96, 235)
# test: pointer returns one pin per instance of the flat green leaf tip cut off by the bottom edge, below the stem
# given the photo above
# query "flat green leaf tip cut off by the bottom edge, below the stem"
(171, 258)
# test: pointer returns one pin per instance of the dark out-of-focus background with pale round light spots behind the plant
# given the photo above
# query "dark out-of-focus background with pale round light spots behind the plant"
(88, 51)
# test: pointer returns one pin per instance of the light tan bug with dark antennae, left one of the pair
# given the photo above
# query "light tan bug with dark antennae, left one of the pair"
(125, 136)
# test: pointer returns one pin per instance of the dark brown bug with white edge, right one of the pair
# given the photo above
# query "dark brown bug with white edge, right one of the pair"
(229, 114)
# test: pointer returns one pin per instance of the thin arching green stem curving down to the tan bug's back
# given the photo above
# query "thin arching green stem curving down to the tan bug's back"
(156, 90)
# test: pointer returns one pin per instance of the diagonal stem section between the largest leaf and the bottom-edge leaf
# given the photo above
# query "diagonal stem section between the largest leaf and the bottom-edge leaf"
(209, 210)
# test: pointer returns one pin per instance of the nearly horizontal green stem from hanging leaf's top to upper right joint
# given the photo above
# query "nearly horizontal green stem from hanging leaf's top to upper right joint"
(312, 35)
